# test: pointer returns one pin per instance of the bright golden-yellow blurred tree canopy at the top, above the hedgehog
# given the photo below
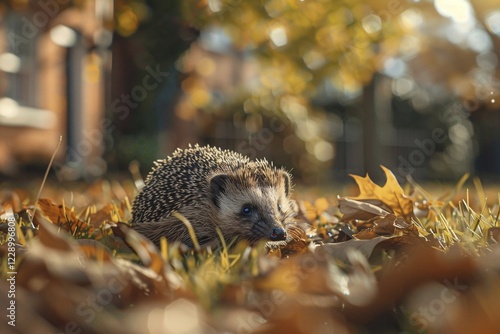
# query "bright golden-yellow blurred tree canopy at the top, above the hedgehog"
(302, 44)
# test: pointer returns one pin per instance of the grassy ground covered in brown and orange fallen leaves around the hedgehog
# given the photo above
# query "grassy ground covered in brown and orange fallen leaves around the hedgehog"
(390, 260)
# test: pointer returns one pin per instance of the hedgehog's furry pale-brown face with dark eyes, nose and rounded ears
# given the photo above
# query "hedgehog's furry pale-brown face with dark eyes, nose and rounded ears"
(251, 208)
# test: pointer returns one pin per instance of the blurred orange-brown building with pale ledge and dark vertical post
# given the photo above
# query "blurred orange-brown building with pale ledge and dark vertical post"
(55, 78)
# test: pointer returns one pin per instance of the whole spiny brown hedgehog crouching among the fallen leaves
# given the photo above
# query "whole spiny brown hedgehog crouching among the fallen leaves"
(214, 188)
